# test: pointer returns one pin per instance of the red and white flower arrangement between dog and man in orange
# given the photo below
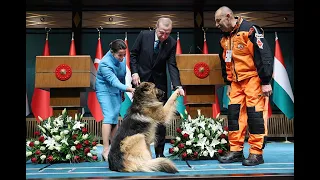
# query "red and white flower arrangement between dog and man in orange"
(199, 138)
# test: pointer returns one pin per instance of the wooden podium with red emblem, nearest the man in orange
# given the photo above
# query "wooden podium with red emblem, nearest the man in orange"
(199, 74)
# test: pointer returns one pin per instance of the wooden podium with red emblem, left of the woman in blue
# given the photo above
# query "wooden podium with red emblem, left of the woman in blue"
(68, 78)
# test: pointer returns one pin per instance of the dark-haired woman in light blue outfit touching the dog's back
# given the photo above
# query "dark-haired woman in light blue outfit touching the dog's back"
(110, 84)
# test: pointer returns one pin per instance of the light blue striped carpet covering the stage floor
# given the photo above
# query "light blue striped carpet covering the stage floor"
(278, 157)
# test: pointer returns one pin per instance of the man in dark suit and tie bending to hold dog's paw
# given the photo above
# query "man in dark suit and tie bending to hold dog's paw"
(150, 54)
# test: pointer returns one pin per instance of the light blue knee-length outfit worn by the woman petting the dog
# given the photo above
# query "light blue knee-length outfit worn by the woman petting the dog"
(110, 81)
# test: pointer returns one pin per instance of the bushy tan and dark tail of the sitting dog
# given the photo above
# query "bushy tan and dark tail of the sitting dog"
(159, 164)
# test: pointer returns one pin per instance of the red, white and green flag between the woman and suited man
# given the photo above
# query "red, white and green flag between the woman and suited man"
(128, 95)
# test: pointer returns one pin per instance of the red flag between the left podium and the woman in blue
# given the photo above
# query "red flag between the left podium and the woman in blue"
(93, 103)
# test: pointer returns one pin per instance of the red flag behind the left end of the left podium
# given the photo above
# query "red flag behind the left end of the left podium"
(40, 103)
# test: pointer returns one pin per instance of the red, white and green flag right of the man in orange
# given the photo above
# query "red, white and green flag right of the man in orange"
(282, 91)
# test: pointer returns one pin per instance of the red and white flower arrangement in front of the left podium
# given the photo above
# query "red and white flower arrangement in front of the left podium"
(61, 139)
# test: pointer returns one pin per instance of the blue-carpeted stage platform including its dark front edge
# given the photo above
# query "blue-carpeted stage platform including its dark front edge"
(278, 157)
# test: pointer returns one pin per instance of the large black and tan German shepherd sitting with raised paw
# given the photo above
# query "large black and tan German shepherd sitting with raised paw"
(130, 146)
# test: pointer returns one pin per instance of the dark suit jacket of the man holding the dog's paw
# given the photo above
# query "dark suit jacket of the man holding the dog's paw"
(142, 62)
